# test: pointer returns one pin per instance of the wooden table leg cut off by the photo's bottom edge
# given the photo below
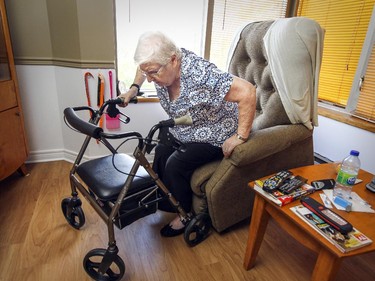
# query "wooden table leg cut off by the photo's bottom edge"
(326, 266)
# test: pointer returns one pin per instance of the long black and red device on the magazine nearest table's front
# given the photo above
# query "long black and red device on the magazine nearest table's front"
(327, 215)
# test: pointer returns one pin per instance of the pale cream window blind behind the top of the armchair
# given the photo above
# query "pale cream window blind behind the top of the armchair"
(230, 15)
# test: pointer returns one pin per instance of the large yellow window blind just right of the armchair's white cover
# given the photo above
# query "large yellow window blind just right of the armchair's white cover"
(346, 23)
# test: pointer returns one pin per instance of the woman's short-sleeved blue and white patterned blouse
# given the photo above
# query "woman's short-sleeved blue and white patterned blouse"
(202, 90)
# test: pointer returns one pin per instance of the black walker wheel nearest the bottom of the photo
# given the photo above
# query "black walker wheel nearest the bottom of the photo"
(92, 262)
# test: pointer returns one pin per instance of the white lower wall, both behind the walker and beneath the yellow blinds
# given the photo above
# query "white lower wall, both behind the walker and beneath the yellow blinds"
(46, 90)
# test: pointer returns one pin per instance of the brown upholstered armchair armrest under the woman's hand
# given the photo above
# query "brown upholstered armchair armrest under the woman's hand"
(268, 141)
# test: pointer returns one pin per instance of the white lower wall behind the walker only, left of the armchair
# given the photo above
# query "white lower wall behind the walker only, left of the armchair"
(47, 90)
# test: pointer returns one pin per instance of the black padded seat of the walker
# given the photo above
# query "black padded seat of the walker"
(106, 182)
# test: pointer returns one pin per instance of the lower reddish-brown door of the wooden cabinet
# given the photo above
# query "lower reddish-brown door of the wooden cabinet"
(12, 147)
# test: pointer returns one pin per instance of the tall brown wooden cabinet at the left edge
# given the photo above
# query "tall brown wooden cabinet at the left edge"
(13, 145)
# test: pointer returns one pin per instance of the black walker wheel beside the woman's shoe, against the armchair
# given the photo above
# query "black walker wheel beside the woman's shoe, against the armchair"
(197, 229)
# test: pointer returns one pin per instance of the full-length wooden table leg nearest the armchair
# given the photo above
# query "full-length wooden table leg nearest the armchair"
(258, 225)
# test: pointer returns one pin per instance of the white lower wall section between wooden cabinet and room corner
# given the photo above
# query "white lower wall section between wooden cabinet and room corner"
(41, 111)
